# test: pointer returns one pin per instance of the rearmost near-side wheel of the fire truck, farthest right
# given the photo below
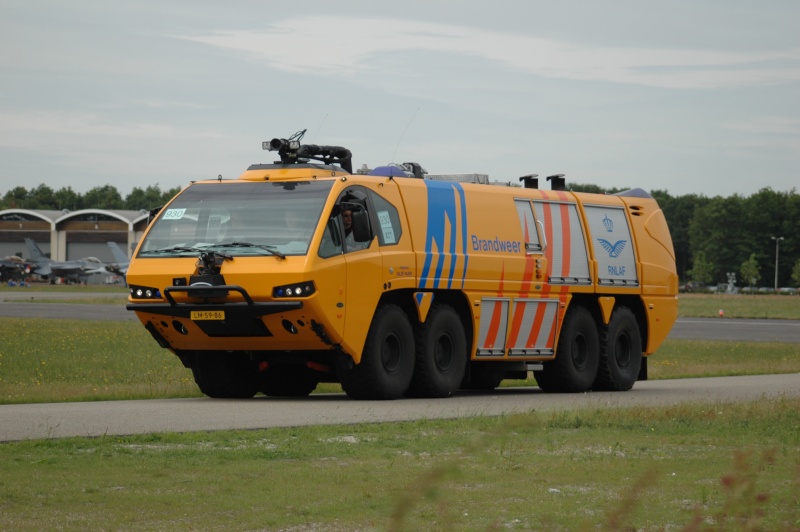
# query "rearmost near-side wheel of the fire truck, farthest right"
(620, 352)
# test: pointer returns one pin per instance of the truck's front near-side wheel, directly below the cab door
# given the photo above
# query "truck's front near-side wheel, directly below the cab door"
(387, 362)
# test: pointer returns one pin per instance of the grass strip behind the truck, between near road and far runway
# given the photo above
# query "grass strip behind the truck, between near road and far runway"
(79, 360)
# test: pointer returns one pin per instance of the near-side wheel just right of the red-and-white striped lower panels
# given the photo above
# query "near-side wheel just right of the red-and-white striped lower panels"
(577, 355)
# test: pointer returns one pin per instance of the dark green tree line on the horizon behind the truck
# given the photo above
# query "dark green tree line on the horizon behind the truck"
(712, 236)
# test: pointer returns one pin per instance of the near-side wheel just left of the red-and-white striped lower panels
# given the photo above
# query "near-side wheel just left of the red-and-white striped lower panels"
(441, 354)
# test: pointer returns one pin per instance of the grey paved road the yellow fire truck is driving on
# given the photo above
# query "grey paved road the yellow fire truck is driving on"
(107, 418)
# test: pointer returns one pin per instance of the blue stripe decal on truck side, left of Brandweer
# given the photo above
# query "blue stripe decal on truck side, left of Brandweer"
(442, 214)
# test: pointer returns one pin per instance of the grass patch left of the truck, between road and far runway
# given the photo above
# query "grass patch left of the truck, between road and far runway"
(80, 360)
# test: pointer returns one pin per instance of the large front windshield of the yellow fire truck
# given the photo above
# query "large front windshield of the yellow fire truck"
(239, 218)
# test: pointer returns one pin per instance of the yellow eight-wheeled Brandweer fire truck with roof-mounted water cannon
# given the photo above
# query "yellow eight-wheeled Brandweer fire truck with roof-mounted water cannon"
(394, 282)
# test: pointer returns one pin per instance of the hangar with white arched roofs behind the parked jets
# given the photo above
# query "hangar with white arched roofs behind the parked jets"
(70, 235)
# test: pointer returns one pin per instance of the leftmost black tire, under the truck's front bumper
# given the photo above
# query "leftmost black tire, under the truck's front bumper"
(225, 375)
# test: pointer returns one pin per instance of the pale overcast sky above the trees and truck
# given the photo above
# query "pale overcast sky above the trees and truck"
(689, 96)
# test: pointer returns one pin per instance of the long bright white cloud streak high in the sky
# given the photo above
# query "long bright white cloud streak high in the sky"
(350, 47)
